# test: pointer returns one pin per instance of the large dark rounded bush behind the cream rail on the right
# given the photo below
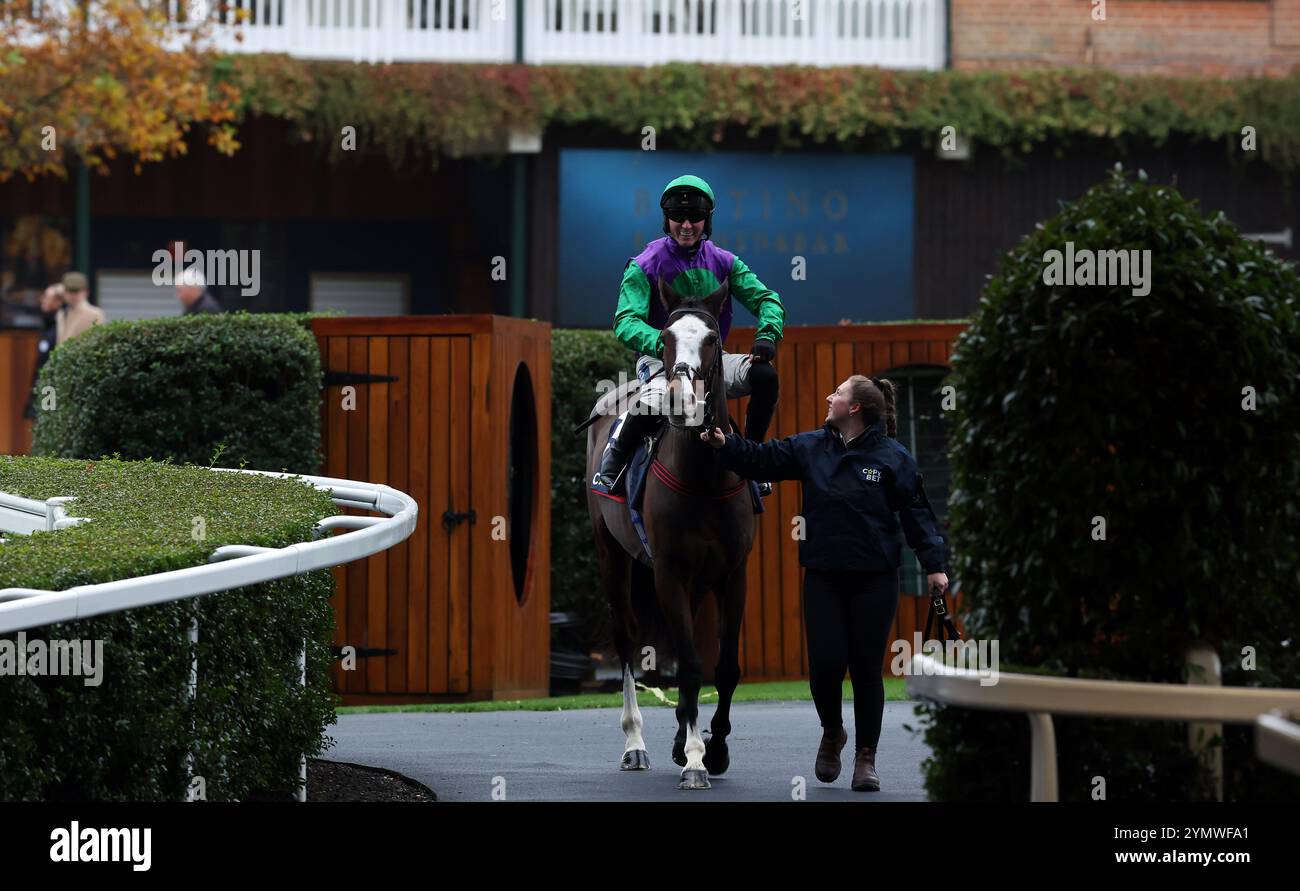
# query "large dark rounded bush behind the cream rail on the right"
(1087, 401)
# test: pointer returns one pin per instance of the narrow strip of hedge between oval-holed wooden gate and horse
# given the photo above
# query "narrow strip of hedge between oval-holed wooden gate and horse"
(580, 361)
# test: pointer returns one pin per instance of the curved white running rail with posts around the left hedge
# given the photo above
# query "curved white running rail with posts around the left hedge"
(229, 566)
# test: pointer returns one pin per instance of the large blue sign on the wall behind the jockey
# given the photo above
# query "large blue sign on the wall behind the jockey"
(833, 235)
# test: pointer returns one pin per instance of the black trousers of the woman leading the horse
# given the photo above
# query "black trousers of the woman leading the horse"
(848, 618)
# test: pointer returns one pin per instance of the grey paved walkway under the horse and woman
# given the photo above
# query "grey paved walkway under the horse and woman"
(574, 756)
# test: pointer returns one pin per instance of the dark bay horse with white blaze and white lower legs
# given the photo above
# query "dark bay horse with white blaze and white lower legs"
(700, 524)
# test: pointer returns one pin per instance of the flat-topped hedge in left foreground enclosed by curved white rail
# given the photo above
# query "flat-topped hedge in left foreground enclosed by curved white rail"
(128, 738)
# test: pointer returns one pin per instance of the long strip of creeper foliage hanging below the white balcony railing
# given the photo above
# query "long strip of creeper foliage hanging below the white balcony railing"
(424, 110)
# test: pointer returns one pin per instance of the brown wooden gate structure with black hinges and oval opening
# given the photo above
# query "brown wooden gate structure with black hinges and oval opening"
(456, 412)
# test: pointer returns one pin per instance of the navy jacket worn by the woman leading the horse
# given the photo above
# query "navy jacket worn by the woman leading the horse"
(853, 496)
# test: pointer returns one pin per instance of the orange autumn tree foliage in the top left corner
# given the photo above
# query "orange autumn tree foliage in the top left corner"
(94, 80)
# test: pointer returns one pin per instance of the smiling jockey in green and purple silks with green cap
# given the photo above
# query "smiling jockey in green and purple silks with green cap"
(695, 267)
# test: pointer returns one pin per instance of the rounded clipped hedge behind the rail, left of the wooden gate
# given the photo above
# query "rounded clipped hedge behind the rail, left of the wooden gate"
(183, 388)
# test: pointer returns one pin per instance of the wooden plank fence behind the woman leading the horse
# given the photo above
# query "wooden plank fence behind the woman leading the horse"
(812, 361)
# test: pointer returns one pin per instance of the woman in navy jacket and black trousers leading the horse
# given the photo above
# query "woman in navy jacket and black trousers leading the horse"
(860, 486)
